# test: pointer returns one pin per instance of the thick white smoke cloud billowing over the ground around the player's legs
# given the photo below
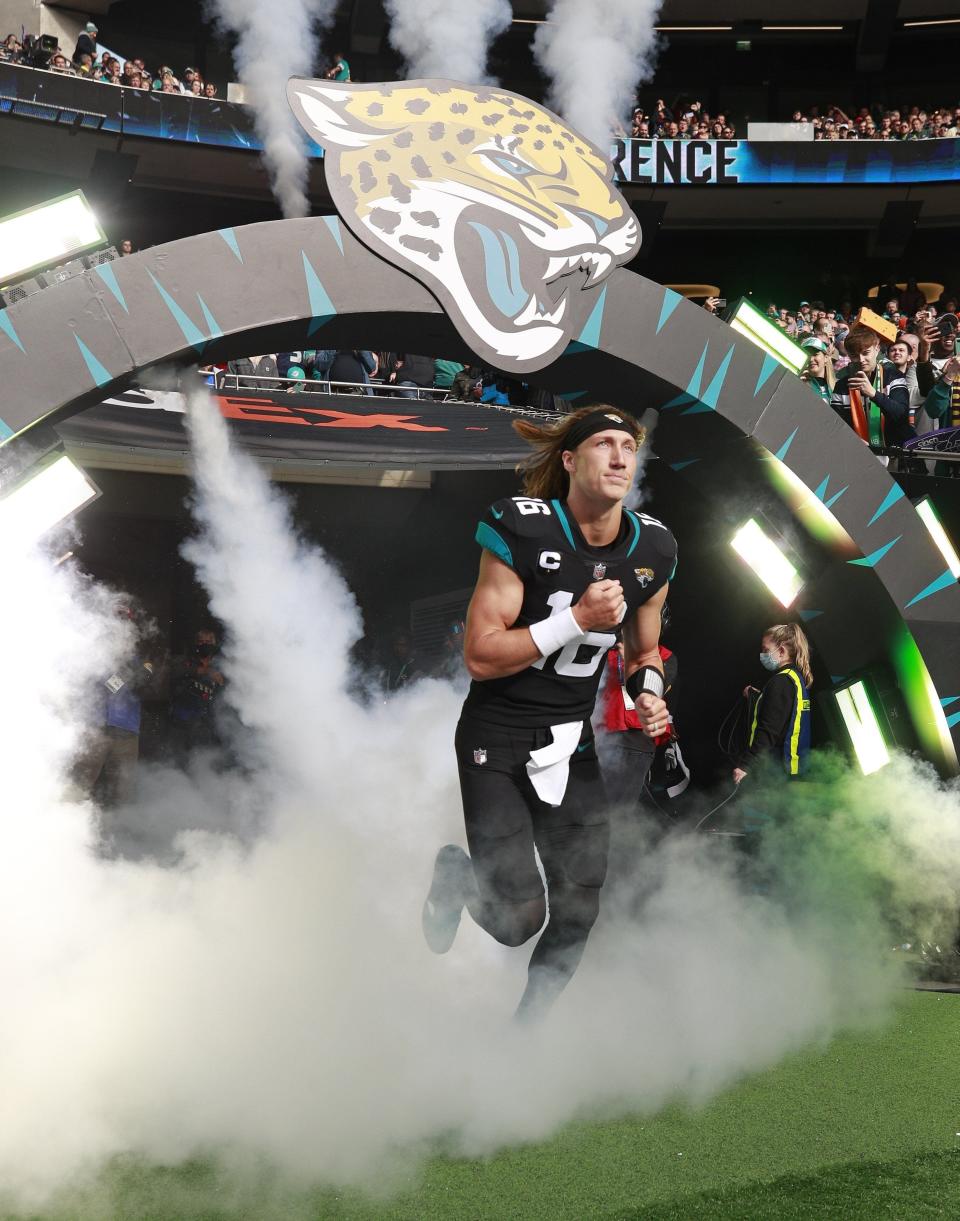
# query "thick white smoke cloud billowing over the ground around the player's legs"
(269, 996)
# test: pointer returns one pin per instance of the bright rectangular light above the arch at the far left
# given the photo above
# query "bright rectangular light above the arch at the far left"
(46, 235)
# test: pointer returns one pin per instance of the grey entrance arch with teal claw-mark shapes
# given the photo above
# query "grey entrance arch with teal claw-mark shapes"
(726, 410)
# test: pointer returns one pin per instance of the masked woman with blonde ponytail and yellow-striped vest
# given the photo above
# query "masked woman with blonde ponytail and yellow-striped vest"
(781, 721)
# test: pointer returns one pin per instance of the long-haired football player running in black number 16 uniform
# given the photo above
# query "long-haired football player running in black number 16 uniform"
(565, 571)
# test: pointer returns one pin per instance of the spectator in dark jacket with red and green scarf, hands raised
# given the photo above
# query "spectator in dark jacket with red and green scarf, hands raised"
(871, 395)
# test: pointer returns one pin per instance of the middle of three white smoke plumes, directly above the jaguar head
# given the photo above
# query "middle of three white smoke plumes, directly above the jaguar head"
(451, 41)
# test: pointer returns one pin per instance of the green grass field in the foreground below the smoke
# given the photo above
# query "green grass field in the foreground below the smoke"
(867, 1128)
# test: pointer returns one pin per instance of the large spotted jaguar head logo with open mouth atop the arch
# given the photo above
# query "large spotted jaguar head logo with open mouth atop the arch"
(494, 203)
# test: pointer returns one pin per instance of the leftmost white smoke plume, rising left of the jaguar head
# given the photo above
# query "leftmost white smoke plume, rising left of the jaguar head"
(277, 41)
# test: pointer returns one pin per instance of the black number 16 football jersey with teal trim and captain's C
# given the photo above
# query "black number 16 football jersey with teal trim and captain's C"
(543, 544)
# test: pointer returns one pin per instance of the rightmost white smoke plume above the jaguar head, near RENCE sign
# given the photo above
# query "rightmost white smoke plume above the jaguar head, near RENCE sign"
(595, 54)
